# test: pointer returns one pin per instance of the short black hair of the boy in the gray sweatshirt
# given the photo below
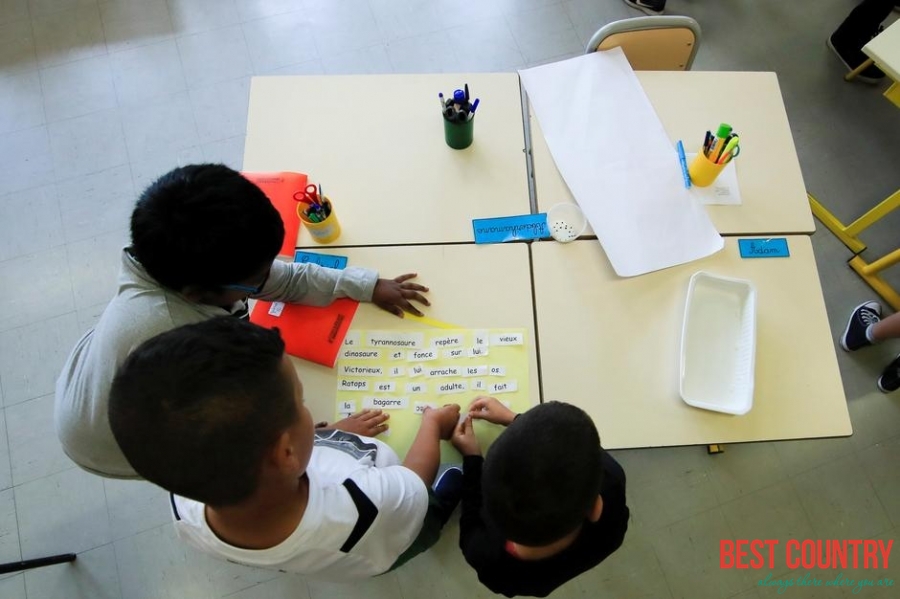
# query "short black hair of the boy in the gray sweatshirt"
(205, 225)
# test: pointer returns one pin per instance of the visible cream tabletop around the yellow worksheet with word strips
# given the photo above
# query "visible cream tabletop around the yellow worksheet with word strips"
(475, 287)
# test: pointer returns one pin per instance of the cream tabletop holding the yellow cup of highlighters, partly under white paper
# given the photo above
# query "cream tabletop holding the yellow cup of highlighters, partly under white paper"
(690, 103)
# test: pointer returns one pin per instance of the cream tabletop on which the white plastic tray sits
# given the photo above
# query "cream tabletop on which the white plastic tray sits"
(611, 346)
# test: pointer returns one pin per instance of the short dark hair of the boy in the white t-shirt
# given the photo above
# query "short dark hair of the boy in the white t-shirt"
(195, 409)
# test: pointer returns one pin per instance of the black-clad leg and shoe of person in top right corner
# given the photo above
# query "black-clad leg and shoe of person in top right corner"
(858, 28)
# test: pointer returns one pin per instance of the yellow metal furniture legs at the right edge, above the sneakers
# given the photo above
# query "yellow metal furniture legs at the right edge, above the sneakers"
(849, 236)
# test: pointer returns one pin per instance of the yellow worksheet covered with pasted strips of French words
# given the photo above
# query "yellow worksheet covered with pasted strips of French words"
(403, 372)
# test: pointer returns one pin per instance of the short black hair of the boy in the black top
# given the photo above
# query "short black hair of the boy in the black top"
(542, 475)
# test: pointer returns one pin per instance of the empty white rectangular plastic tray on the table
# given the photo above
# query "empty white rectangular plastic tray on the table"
(718, 344)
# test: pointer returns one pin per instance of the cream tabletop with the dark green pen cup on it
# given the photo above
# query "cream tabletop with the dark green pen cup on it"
(376, 144)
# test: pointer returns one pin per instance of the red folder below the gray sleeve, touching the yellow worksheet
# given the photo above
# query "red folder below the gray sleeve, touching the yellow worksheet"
(310, 332)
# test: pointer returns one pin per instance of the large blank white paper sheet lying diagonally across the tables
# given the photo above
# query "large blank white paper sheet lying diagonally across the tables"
(614, 155)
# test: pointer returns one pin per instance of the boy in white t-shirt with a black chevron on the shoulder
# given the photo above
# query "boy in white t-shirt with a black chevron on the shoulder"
(214, 413)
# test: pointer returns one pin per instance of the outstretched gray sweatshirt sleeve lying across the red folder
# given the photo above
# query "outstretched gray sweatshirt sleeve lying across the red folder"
(305, 283)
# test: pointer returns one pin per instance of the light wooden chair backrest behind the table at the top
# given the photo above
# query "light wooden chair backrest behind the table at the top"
(663, 43)
